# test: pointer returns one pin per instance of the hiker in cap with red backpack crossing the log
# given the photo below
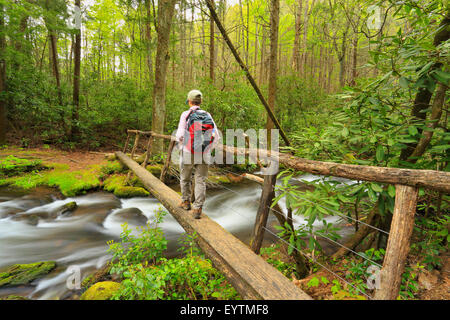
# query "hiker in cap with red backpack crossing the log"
(196, 134)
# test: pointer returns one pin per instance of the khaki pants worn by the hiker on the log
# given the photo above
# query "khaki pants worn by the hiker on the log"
(200, 175)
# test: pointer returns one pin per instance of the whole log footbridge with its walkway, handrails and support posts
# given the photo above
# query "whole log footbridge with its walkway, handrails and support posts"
(249, 273)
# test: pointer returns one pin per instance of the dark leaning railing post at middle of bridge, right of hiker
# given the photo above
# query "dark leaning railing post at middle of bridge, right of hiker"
(265, 202)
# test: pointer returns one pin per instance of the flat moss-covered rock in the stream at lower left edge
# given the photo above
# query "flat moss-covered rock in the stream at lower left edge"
(19, 274)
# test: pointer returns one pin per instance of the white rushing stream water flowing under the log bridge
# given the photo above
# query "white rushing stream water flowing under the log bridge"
(31, 229)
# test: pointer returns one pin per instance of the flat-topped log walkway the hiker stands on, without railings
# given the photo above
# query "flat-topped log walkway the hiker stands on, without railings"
(249, 273)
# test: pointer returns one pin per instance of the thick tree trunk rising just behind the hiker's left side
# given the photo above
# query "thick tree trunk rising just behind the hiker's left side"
(166, 10)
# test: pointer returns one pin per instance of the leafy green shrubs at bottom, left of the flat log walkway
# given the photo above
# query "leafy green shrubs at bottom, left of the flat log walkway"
(148, 275)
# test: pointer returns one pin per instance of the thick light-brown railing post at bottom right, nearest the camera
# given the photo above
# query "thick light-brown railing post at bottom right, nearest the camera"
(398, 243)
